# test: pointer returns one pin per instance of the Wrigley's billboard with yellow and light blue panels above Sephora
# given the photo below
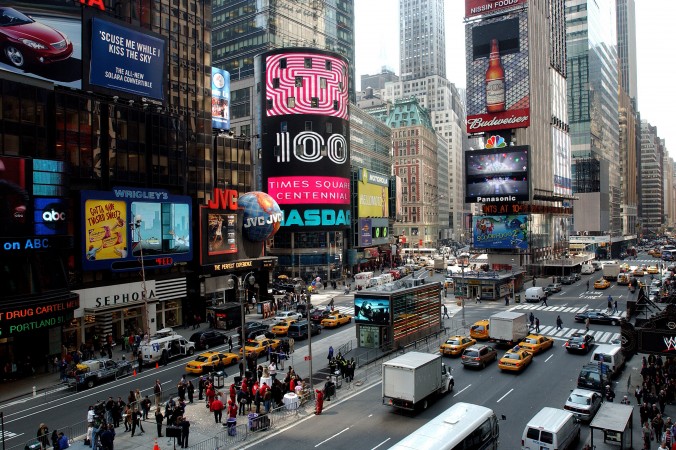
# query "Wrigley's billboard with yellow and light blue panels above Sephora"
(121, 224)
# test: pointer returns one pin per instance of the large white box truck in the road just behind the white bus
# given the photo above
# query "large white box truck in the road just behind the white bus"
(413, 379)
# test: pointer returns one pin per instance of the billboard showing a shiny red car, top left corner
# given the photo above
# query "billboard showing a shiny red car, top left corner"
(42, 39)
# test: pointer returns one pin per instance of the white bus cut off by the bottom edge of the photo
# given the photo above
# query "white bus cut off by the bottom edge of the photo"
(463, 426)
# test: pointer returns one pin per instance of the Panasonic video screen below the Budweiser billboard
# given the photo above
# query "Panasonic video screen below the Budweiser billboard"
(497, 175)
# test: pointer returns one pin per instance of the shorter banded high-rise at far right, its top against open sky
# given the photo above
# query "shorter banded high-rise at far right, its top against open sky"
(652, 183)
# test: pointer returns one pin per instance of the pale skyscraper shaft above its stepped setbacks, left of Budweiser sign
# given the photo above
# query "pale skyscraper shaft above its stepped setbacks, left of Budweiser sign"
(422, 39)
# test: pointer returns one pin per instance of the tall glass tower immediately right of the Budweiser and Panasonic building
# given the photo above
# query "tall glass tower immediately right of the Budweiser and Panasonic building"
(593, 113)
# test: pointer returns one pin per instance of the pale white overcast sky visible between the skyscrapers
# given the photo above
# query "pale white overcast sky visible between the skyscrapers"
(377, 28)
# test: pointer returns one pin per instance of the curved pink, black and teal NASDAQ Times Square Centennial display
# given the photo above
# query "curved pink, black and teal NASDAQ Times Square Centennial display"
(305, 164)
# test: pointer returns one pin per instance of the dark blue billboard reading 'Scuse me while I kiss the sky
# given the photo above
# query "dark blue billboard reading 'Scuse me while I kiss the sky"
(126, 60)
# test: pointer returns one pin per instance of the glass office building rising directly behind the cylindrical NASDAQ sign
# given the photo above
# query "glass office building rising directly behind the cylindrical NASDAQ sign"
(243, 29)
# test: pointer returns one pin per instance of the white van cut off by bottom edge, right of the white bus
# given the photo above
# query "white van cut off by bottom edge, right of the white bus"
(551, 428)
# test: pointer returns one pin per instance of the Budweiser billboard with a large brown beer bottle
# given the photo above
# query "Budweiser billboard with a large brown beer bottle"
(498, 91)
